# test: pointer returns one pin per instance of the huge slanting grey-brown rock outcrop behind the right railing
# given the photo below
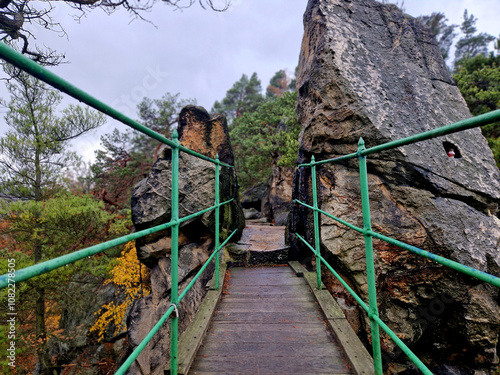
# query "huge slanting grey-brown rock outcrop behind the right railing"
(367, 70)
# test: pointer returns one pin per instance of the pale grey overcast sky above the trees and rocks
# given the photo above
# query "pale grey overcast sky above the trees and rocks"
(197, 53)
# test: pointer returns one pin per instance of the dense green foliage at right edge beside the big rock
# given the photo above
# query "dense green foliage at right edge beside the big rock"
(478, 79)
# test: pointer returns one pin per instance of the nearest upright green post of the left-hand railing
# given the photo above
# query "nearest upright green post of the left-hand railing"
(174, 255)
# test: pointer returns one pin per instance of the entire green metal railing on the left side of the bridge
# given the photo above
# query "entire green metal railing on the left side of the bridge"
(38, 71)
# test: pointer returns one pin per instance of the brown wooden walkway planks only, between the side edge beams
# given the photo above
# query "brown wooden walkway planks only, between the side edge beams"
(268, 323)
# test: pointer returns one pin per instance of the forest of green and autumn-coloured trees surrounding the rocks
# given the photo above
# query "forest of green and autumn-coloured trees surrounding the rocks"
(51, 205)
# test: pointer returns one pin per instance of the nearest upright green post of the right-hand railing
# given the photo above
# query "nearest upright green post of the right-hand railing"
(370, 266)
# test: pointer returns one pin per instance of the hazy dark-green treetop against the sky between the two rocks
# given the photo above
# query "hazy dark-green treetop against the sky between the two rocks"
(244, 96)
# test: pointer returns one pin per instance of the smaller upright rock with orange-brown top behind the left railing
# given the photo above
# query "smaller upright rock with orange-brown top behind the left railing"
(151, 206)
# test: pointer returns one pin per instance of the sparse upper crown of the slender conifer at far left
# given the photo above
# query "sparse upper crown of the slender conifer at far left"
(35, 149)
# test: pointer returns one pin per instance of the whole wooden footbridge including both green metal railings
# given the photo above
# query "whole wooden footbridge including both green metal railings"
(270, 320)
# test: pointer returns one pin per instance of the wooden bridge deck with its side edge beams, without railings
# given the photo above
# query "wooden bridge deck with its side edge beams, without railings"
(272, 320)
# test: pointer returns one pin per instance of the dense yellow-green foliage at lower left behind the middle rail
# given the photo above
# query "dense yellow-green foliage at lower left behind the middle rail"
(58, 225)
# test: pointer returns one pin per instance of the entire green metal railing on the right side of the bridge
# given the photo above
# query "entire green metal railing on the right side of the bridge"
(368, 234)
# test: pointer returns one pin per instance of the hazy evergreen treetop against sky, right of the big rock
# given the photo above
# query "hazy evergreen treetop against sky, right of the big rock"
(472, 43)
